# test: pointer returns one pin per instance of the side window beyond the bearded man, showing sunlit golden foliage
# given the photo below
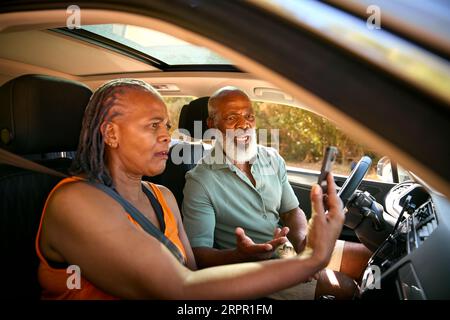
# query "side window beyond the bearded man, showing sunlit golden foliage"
(303, 137)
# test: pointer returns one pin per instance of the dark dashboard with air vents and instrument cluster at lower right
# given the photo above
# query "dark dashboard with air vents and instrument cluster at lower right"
(413, 263)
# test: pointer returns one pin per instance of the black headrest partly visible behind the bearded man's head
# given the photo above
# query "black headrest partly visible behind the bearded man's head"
(196, 110)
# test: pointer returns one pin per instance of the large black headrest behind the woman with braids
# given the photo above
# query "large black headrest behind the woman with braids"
(41, 114)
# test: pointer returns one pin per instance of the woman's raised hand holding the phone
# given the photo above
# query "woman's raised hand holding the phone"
(325, 228)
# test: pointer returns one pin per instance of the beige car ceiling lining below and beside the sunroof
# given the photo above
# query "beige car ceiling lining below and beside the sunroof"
(48, 52)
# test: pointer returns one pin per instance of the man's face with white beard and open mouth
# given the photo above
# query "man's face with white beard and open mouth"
(235, 119)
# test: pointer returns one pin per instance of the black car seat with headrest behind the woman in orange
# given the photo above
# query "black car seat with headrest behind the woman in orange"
(40, 119)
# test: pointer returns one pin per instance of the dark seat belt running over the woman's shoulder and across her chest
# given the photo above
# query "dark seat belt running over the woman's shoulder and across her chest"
(12, 159)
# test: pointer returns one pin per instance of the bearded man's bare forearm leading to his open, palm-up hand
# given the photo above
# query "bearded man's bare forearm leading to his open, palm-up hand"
(208, 257)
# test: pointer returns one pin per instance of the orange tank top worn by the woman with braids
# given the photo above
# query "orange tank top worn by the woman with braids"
(54, 281)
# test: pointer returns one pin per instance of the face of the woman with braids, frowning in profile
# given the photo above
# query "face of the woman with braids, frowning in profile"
(140, 128)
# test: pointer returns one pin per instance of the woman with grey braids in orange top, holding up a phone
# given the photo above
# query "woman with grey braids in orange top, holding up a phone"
(124, 136)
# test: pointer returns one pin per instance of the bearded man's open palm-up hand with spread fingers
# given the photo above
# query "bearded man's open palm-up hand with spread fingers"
(250, 251)
